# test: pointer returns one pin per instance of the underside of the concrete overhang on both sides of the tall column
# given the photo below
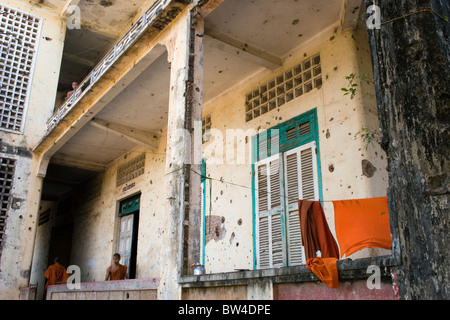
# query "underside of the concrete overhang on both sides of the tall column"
(242, 38)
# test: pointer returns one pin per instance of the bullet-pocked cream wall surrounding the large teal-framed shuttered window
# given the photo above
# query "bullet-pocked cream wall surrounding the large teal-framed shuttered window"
(349, 168)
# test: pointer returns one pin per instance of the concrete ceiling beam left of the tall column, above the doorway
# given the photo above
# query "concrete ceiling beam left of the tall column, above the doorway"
(141, 137)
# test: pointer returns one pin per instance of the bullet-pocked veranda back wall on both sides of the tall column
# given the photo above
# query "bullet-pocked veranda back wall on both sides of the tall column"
(229, 241)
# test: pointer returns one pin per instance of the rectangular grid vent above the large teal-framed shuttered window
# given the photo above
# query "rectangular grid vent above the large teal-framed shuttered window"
(284, 88)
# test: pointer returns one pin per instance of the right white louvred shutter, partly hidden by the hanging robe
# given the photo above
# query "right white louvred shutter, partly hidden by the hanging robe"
(301, 183)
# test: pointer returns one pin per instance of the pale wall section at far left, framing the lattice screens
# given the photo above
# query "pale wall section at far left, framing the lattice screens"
(21, 222)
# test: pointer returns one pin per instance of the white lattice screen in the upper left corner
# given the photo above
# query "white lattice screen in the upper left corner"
(18, 45)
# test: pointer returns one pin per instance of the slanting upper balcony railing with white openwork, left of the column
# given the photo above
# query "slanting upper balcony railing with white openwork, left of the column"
(148, 18)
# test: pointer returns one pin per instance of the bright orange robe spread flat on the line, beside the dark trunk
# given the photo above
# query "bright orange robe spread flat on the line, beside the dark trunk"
(362, 224)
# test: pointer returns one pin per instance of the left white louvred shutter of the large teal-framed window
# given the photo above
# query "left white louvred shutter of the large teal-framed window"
(271, 245)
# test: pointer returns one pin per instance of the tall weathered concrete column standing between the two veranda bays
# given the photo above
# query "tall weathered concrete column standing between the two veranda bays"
(183, 185)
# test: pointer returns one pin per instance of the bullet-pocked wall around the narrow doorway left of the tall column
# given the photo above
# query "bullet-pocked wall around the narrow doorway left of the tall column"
(96, 227)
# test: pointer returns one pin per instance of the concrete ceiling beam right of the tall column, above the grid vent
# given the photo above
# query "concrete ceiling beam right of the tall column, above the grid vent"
(242, 49)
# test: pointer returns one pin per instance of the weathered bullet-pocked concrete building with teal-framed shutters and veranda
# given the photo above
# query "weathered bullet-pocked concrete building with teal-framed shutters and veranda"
(159, 151)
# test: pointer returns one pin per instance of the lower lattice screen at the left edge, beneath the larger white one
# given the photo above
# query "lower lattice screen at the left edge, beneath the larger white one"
(6, 177)
